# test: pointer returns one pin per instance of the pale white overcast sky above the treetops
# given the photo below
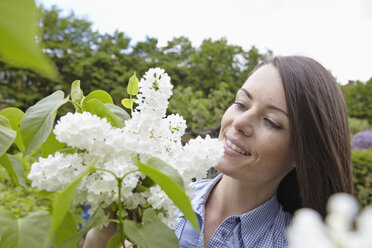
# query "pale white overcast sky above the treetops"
(337, 33)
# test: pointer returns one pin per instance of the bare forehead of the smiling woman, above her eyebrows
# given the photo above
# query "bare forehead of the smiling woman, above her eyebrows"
(265, 85)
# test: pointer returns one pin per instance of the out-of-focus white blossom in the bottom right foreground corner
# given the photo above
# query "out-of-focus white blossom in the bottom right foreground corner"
(343, 227)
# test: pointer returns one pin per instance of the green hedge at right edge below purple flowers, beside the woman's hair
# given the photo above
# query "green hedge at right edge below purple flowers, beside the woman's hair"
(362, 173)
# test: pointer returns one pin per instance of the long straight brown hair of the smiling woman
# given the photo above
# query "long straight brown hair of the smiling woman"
(319, 133)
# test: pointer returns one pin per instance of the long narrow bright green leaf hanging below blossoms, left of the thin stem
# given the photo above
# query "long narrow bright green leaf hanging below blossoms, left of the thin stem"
(64, 200)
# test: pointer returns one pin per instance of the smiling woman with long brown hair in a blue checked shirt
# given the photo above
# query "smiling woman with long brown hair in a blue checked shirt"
(287, 146)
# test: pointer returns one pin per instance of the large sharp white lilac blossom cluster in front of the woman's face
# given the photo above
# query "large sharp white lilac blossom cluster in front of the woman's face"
(149, 133)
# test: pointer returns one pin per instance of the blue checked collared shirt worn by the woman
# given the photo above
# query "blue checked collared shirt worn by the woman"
(264, 226)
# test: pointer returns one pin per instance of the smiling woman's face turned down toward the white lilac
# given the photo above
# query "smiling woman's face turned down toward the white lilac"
(255, 131)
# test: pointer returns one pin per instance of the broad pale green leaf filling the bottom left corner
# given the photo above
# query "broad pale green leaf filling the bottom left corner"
(30, 231)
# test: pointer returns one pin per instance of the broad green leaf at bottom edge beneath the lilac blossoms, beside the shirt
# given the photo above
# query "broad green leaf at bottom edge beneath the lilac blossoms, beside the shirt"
(152, 234)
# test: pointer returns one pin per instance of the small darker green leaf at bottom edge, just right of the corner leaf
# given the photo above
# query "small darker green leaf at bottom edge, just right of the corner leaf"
(67, 229)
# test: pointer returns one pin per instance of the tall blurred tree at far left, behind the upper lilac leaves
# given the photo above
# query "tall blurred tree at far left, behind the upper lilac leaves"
(100, 61)
